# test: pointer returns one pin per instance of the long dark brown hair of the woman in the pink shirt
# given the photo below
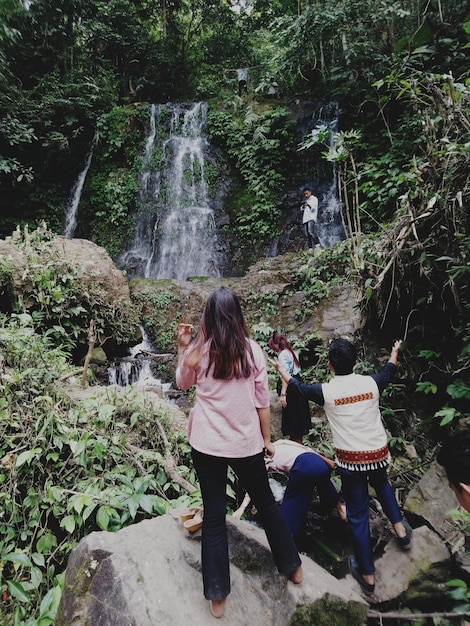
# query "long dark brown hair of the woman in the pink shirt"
(223, 326)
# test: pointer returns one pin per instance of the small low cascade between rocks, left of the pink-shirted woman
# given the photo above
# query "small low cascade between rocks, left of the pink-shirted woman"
(135, 369)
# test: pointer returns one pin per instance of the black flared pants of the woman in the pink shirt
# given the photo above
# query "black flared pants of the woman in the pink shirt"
(251, 471)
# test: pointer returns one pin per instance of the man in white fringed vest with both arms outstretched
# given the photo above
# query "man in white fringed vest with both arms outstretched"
(351, 403)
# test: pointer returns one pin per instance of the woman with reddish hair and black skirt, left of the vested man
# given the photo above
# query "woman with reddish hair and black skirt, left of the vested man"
(296, 418)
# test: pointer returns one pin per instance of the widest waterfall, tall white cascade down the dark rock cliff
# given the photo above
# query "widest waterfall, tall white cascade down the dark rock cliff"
(175, 234)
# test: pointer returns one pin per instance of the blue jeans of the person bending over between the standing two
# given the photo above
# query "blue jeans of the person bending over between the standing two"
(308, 472)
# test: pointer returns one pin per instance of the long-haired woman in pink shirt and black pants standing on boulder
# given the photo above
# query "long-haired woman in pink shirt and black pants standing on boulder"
(229, 425)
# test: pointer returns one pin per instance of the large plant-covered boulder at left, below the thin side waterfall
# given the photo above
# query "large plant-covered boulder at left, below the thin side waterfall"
(71, 281)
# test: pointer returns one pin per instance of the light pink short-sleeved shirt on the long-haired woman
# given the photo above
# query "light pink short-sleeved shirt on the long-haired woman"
(224, 421)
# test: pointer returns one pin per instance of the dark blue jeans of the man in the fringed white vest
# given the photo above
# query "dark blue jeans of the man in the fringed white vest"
(356, 494)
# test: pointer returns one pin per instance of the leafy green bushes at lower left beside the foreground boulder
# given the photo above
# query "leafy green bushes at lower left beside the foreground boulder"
(68, 469)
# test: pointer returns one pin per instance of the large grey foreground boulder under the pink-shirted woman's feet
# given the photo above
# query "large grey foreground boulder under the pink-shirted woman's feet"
(150, 574)
